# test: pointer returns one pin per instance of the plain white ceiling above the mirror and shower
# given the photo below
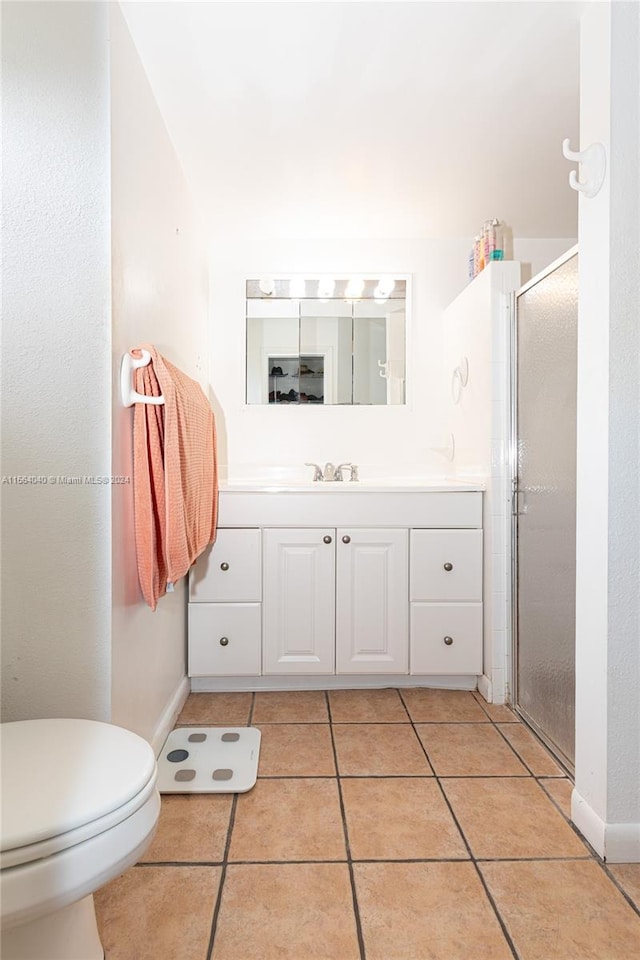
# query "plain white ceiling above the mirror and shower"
(369, 119)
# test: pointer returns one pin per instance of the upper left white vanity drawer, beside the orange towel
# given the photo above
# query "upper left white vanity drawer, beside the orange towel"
(230, 570)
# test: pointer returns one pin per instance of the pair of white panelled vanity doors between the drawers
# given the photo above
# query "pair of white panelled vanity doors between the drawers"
(335, 600)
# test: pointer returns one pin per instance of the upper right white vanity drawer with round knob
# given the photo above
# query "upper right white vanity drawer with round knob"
(446, 565)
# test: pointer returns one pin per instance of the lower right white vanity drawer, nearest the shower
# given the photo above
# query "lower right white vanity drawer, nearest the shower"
(431, 623)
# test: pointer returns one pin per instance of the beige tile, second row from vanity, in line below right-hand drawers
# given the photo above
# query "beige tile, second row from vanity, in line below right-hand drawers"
(469, 749)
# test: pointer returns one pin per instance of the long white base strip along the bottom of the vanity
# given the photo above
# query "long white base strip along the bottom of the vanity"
(332, 682)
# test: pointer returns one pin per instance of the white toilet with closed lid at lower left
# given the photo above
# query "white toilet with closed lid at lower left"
(79, 806)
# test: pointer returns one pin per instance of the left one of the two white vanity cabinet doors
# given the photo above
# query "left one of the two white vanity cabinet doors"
(299, 601)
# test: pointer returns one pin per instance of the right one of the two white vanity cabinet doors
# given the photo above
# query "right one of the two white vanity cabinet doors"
(372, 601)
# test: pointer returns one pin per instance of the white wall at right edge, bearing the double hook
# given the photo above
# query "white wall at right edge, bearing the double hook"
(606, 801)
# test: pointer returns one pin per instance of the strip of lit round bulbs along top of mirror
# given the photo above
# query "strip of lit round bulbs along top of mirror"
(326, 288)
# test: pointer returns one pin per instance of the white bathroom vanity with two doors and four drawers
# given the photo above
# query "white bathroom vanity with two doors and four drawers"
(339, 584)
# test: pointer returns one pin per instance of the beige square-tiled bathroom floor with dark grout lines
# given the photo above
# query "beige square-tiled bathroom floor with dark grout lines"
(385, 825)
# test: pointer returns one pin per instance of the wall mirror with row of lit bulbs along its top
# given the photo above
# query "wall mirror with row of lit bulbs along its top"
(344, 347)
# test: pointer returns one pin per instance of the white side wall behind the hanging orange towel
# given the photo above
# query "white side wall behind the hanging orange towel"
(160, 295)
